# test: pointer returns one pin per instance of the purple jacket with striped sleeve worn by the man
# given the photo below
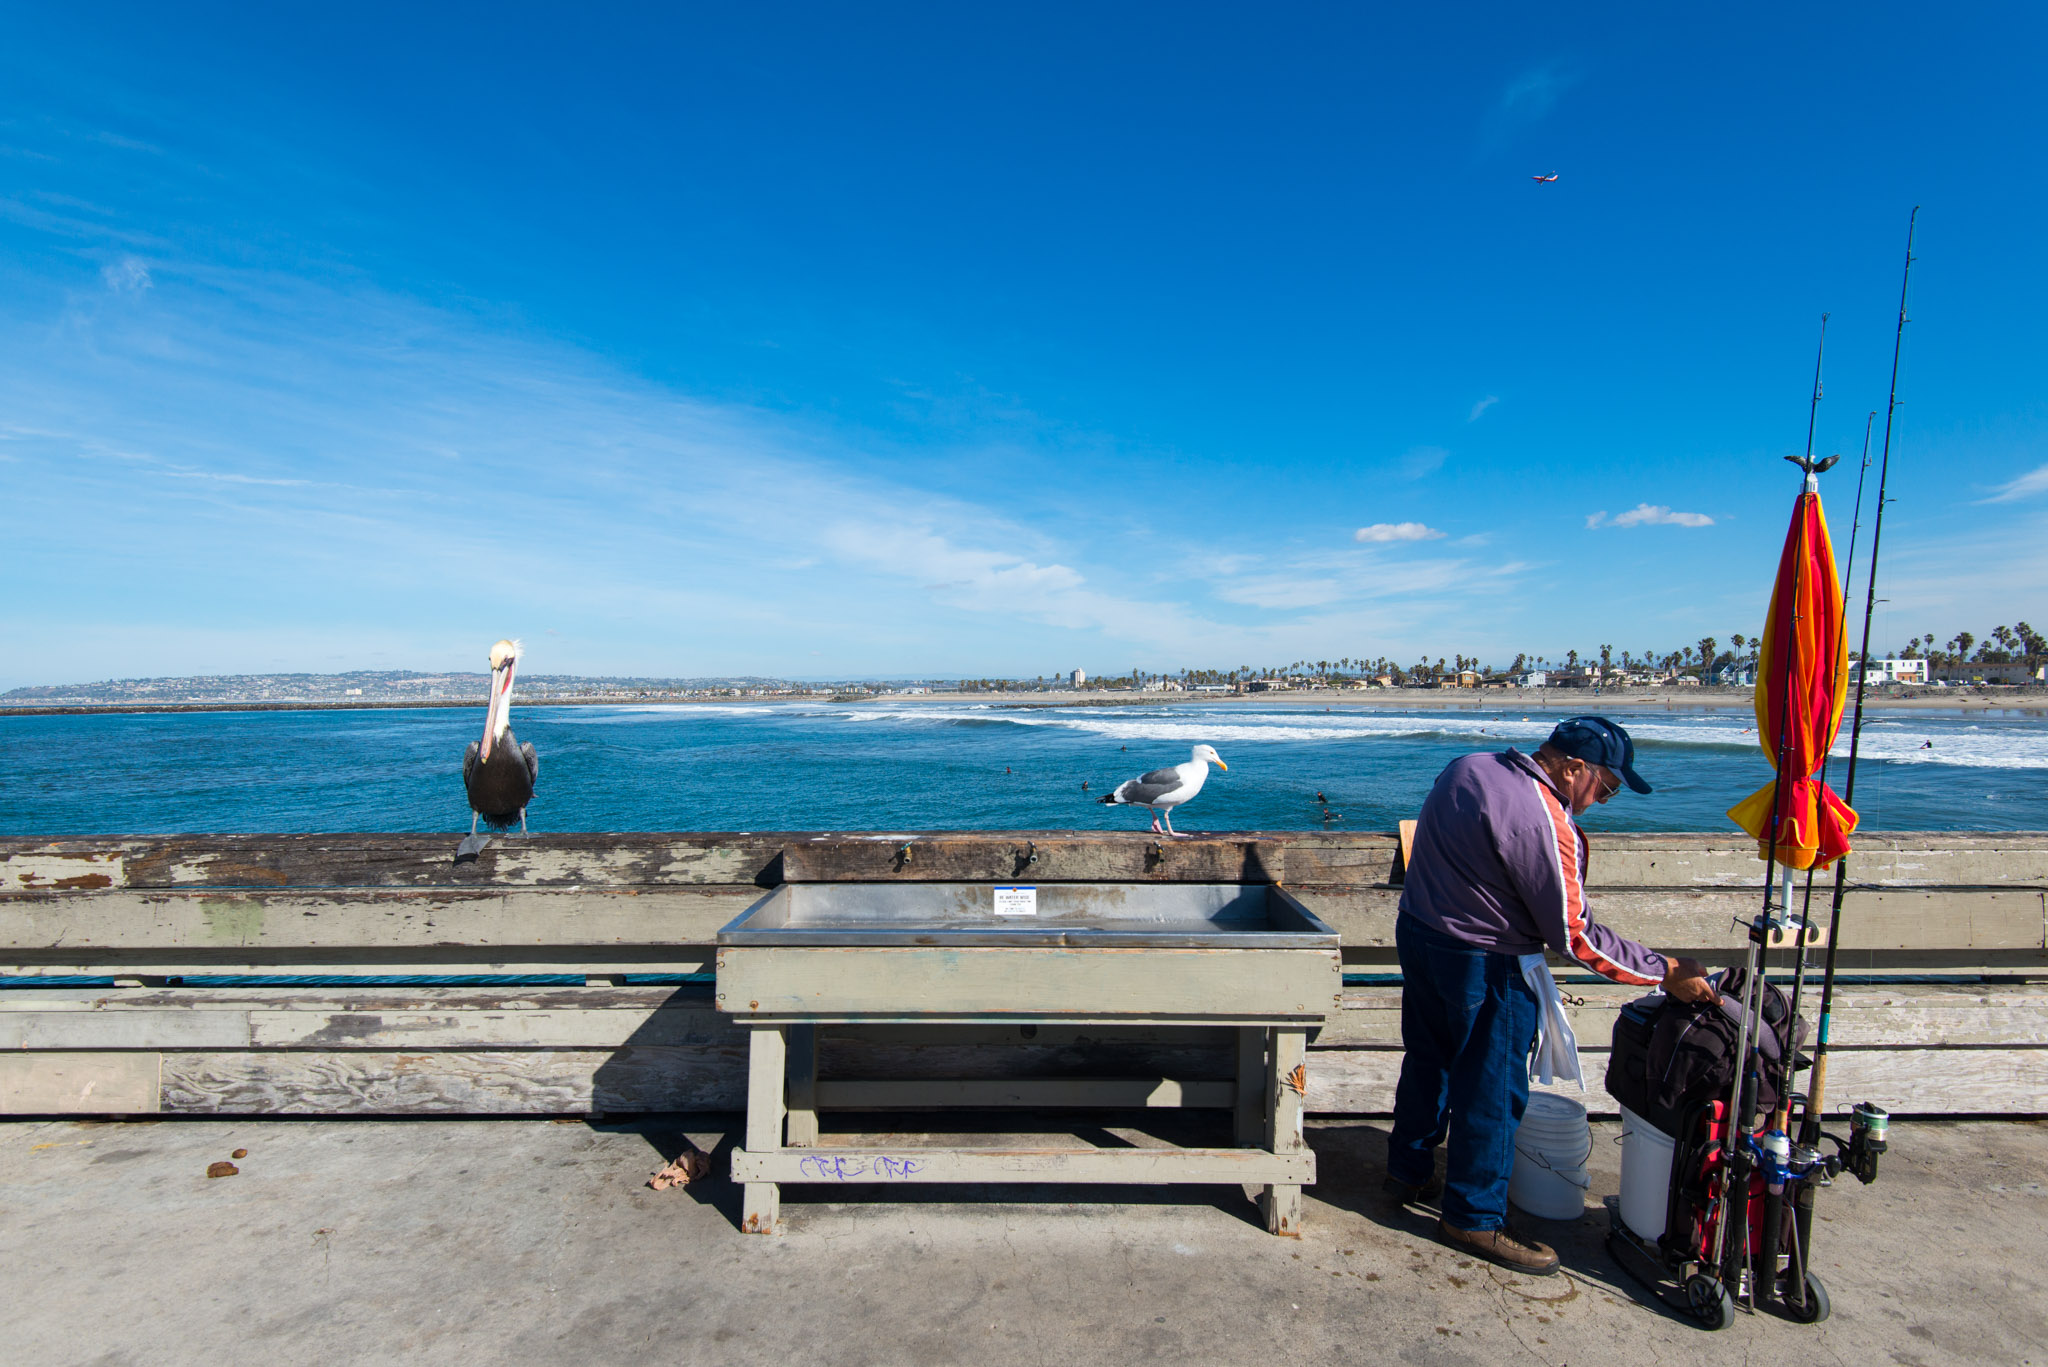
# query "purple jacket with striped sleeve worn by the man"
(1500, 864)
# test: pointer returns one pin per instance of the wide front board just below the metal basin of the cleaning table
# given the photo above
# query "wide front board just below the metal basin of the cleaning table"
(1029, 983)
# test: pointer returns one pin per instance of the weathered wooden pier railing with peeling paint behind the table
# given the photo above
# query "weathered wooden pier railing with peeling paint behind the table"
(1947, 938)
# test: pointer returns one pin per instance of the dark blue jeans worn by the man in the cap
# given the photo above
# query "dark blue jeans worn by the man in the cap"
(1467, 1026)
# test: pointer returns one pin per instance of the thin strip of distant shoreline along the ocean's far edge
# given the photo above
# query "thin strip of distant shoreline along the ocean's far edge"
(1377, 700)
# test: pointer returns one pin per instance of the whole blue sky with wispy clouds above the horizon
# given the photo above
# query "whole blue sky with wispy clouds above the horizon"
(972, 341)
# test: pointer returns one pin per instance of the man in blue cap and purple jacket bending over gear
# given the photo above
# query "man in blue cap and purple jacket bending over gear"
(1498, 872)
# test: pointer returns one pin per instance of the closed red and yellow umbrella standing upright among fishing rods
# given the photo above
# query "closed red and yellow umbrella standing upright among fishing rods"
(1803, 675)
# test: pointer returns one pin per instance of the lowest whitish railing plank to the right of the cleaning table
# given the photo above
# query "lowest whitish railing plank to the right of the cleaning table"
(1902, 1081)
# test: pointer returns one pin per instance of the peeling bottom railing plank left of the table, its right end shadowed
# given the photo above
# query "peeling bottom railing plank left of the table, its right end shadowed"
(433, 1083)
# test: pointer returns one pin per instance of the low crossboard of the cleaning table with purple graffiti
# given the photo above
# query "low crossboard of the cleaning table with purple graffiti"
(1037, 1165)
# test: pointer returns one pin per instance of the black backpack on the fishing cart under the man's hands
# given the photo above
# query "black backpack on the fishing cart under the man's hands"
(1672, 1057)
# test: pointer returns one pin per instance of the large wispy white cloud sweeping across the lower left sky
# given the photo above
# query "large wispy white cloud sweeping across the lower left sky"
(394, 481)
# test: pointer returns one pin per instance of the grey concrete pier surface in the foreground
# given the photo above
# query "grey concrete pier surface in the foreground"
(419, 1241)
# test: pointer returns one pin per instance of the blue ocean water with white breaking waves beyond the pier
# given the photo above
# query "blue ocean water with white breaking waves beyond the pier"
(904, 768)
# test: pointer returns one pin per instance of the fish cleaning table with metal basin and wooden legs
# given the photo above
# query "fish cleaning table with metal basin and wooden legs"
(816, 956)
